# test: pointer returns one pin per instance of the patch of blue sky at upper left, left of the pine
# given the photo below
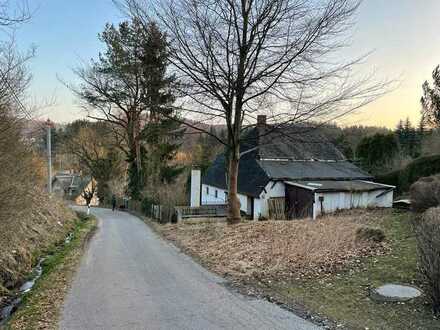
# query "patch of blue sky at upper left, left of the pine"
(65, 34)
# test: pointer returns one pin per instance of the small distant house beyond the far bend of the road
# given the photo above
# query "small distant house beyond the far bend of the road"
(71, 186)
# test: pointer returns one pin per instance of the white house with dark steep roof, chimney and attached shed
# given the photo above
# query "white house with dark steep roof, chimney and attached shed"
(293, 165)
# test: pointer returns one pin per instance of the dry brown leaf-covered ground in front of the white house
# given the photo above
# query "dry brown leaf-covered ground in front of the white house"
(278, 248)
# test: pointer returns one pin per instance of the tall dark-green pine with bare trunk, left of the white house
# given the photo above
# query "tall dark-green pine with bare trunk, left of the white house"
(130, 88)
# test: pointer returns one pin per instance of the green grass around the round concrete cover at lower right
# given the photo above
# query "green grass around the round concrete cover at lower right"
(344, 297)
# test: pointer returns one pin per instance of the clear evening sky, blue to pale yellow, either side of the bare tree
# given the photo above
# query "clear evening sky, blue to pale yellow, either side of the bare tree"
(404, 35)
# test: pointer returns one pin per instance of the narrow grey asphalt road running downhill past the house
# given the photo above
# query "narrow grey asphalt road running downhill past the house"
(132, 279)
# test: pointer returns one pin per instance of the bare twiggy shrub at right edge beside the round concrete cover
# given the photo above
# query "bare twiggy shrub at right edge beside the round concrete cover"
(428, 243)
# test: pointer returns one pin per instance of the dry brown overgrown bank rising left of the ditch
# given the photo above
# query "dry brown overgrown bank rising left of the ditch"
(30, 221)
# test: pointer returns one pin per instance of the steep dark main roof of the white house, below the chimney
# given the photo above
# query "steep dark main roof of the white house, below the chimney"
(287, 153)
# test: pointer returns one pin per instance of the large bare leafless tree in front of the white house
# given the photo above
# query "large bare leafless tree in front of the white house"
(237, 59)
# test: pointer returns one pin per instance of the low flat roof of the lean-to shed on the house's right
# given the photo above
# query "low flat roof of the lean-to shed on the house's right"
(339, 186)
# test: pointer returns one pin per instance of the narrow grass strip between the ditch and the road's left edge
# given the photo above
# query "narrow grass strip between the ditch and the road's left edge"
(40, 308)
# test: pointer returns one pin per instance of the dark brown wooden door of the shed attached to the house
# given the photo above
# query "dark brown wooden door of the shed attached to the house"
(299, 202)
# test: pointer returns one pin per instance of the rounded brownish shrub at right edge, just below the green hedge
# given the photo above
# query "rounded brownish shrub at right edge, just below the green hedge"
(425, 193)
